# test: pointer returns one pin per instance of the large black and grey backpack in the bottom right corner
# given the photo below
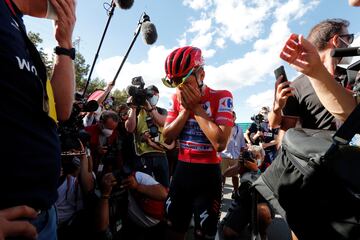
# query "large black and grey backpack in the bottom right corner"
(316, 179)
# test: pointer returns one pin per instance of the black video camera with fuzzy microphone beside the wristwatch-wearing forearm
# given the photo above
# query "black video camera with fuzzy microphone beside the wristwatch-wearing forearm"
(71, 130)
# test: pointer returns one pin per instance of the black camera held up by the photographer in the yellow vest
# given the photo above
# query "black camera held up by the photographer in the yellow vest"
(137, 91)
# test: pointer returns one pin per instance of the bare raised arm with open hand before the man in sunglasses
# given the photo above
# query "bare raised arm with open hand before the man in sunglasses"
(303, 56)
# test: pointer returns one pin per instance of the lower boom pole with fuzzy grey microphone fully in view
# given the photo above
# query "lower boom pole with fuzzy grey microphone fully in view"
(149, 36)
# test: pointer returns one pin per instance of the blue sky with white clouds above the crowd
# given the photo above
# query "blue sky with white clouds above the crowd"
(240, 39)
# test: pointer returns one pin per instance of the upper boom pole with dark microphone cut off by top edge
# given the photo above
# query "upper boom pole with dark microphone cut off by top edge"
(110, 8)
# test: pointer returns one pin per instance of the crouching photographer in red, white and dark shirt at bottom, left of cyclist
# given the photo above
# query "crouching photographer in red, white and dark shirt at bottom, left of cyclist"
(144, 213)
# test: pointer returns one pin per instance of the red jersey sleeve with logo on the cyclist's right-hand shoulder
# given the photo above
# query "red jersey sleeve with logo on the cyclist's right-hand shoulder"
(224, 115)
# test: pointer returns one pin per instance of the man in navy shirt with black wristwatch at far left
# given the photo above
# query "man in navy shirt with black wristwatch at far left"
(31, 151)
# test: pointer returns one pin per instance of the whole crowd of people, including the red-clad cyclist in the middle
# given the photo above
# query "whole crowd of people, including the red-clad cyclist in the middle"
(138, 171)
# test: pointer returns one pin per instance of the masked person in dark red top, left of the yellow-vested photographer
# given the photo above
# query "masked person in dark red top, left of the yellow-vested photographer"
(104, 140)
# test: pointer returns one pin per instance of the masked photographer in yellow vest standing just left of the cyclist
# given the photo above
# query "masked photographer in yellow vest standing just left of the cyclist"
(146, 122)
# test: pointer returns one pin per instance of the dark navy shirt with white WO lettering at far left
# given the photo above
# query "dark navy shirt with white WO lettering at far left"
(30, 149)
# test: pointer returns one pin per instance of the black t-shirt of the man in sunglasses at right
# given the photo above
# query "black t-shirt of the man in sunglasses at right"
(306, 105)
